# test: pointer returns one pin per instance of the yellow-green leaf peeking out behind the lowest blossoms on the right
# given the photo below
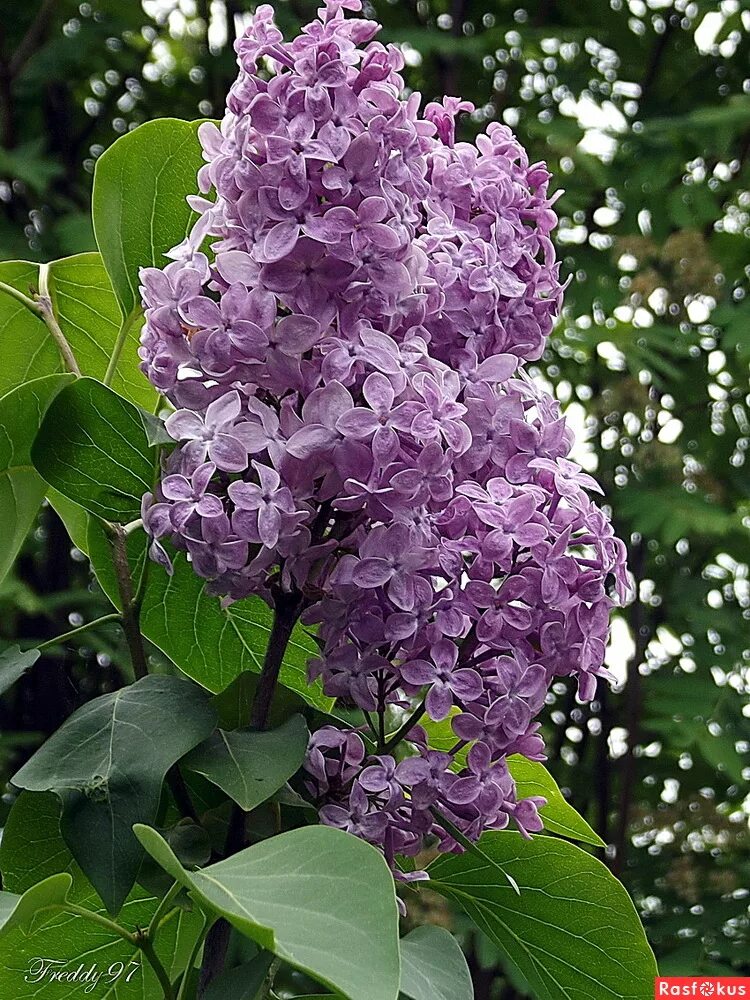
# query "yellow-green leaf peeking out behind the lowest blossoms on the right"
(531, 778)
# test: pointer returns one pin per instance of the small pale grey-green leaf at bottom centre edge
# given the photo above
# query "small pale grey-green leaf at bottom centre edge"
(433, 966)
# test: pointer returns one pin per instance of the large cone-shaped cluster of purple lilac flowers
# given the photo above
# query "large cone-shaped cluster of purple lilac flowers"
(355, 424)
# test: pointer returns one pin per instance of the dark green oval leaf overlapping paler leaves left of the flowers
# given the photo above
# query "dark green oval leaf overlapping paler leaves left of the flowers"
(93, 448)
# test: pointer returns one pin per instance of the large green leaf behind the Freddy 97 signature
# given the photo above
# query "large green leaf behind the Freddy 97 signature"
(31, 851)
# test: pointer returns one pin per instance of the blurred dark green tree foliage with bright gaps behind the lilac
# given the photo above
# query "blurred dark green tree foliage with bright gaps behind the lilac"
(642, 111)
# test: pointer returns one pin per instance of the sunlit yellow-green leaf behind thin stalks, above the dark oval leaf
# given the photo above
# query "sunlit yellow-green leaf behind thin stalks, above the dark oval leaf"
(89, 316)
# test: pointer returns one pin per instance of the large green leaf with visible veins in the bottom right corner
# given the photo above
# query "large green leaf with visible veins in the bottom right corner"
(572, 930)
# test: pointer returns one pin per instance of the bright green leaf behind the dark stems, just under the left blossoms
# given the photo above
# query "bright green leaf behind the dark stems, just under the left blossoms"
(209, 643)
